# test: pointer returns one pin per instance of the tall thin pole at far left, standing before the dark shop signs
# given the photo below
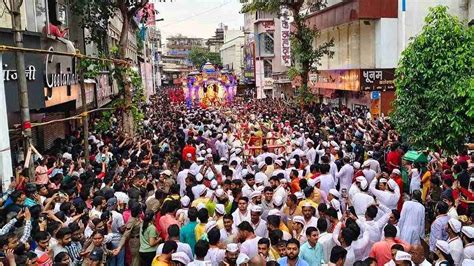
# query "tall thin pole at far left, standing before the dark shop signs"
(17, 30)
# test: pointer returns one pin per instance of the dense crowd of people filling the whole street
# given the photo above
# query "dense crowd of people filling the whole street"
(258, 183)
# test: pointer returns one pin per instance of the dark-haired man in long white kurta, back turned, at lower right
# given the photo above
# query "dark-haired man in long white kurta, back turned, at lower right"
(412, 220)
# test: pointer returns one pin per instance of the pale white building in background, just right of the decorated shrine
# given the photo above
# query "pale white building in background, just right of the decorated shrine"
(232, 51)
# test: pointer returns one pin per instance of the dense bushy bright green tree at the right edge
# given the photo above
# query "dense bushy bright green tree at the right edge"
(434, 105)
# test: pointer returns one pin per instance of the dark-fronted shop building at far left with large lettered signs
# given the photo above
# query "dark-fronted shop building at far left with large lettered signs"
(53, 87)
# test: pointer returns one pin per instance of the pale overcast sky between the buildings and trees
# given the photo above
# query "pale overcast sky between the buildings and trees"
(197, 18)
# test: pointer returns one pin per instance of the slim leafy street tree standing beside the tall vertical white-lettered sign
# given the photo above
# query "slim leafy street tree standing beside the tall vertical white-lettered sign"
(307, 56)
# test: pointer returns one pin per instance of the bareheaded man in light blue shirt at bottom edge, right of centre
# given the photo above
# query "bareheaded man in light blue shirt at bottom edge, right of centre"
(312, 251)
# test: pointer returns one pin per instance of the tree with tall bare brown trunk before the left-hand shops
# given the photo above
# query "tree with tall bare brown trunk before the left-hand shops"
(95, 16)
